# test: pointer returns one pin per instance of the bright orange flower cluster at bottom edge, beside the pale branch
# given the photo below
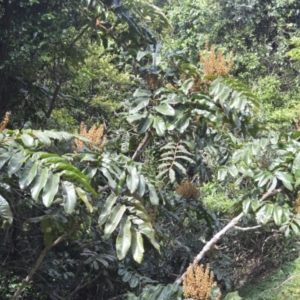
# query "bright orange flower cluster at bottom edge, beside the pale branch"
(198, 282)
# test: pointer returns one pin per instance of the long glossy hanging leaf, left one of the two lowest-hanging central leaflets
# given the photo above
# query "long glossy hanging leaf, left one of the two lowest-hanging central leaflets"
(123, 241)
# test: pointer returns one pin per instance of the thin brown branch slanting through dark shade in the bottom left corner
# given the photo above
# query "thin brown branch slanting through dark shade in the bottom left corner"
(38, 263)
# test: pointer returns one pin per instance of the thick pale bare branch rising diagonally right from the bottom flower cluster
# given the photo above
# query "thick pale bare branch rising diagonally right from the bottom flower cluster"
(210, 244)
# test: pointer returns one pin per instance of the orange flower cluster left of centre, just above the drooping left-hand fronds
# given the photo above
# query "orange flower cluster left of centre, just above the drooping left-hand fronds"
(95, 135)
